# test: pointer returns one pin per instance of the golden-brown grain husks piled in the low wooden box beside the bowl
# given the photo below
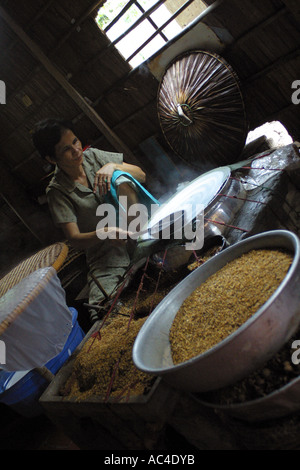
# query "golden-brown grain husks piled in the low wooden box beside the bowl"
(106, 361)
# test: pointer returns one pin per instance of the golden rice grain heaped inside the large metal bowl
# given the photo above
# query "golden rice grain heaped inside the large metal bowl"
(225, 301)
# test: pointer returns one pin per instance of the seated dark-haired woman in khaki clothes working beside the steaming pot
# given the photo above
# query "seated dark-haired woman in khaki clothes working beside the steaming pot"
(82, 181)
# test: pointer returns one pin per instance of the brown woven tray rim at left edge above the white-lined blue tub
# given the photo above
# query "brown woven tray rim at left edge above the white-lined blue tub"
(51, 256)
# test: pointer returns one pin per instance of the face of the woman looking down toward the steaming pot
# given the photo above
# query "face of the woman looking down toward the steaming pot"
(68, 151)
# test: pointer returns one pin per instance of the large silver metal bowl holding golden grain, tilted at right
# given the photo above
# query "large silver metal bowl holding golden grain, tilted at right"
(257, 340)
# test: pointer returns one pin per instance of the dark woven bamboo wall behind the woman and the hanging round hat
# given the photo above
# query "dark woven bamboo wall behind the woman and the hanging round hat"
(261, 41)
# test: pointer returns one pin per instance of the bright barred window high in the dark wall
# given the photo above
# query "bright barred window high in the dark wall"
(139, 28)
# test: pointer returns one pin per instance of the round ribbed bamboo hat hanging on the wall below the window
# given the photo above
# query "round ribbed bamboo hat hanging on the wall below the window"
(201, 110)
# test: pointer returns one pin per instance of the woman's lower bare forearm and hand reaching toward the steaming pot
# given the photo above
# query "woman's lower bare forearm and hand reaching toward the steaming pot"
(86, 240)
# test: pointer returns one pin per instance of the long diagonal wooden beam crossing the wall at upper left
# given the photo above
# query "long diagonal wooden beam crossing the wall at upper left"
(36, 51)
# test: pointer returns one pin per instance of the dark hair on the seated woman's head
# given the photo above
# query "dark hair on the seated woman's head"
(47, 134)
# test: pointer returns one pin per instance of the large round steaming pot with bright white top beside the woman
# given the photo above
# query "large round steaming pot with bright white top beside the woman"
(214, 193)
